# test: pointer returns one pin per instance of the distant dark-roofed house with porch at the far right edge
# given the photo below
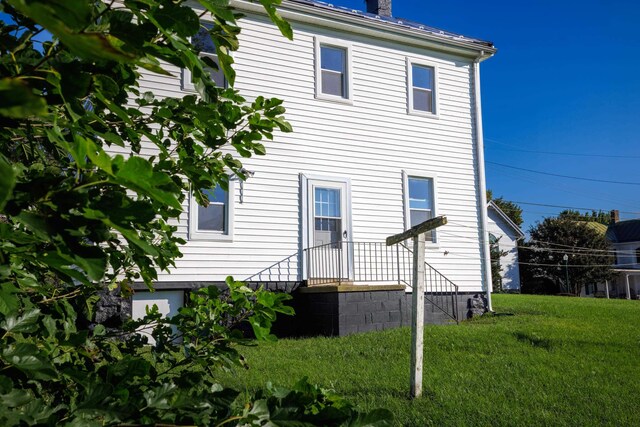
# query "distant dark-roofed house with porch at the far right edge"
(624, 237)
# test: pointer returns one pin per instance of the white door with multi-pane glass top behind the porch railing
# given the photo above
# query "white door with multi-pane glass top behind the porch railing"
(328, 255)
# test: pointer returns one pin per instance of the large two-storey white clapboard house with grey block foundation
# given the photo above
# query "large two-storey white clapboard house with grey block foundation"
(387, 133)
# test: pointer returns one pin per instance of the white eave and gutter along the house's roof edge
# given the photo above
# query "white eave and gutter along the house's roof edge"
(335, 19)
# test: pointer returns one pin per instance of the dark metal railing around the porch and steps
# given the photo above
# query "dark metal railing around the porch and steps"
(347, 262)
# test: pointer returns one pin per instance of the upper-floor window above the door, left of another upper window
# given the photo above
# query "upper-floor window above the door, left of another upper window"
(333, 70)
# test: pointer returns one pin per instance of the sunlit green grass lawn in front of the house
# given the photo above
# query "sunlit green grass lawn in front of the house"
(539, 361)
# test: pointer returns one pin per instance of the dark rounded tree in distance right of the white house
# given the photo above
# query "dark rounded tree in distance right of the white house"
(542, 258)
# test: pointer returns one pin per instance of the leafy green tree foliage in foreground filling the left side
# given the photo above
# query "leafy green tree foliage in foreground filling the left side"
(77, 220)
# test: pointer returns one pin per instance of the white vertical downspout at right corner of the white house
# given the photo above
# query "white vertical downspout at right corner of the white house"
(484, 233)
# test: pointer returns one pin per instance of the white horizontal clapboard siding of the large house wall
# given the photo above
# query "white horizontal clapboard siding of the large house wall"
(370, 142)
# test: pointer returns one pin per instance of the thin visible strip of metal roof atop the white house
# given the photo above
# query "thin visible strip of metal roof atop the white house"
(399, 22)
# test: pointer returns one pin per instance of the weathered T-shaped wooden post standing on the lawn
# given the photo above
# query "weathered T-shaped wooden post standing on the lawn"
(417, 297)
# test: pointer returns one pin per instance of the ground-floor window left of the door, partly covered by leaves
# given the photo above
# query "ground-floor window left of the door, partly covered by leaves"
(214, 221)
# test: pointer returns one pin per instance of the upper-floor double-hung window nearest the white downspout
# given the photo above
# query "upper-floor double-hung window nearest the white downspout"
(421, 88)
